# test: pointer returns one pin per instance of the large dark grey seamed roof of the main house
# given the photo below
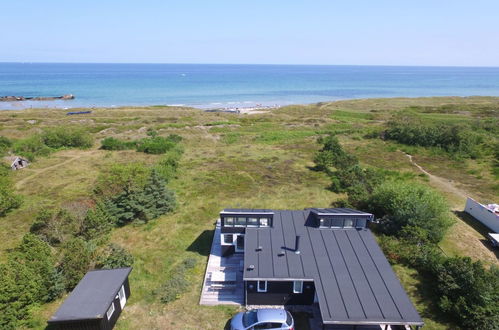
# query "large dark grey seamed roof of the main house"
(354, 282)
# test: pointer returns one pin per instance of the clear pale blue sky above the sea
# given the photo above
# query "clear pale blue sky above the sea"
(378, 32)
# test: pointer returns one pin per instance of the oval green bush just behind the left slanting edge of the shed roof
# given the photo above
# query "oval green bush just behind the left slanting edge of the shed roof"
(75, 261)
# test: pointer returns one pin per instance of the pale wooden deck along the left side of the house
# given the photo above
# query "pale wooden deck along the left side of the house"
(222, 294)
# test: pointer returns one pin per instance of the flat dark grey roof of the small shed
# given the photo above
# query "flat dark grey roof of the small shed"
(92, 296)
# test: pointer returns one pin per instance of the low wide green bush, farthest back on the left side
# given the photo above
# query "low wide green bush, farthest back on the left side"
(60, 137)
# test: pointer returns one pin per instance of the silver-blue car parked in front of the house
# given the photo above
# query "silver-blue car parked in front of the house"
(265, 318)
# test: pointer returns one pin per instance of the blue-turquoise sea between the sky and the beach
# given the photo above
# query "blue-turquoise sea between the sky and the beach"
(221, 86)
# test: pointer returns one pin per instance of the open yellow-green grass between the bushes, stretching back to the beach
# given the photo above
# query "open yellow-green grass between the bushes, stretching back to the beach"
(260, 160)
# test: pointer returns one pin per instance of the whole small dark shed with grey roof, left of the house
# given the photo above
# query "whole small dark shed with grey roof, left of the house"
(95, 303)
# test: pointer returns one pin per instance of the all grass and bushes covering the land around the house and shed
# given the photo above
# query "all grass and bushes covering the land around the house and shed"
(81, 205)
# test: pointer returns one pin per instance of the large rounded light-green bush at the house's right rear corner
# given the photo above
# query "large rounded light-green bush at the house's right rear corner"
(400, 204)
